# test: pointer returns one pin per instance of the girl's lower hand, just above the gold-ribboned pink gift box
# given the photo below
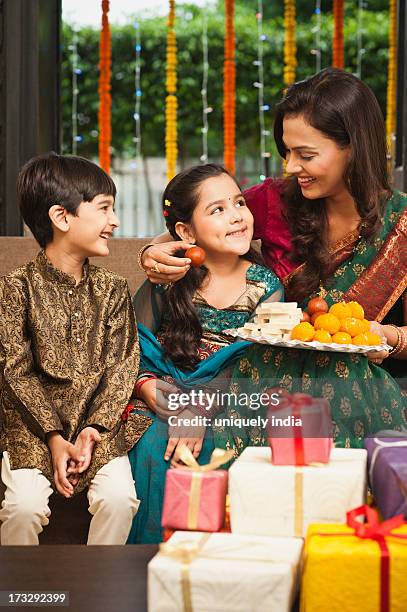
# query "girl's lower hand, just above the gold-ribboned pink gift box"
(184, 435)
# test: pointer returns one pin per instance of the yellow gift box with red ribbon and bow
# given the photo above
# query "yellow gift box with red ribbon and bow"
(356, 566)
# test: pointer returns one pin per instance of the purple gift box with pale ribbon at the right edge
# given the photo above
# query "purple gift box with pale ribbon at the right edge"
(387, 464)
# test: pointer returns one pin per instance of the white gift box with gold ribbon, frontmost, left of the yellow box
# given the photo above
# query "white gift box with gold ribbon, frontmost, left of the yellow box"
(224, 572)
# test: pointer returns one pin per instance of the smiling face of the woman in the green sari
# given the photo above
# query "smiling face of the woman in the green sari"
(317, 161)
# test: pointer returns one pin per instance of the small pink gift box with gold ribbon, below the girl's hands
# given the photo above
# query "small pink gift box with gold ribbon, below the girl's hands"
(194, 500)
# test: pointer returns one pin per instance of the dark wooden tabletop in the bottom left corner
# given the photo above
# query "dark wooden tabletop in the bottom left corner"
(98, 578)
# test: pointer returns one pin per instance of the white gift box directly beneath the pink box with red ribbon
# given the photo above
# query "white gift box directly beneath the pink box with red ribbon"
(270, 500)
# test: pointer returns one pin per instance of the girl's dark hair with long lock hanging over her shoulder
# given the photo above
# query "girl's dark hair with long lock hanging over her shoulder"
(183, 330)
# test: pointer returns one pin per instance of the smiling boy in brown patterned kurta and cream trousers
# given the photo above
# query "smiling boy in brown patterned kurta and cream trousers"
(68, 359)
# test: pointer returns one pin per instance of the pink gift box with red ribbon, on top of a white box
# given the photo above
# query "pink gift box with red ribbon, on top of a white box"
(300, 430)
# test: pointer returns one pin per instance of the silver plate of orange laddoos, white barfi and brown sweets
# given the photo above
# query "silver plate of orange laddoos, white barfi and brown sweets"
(339, 328)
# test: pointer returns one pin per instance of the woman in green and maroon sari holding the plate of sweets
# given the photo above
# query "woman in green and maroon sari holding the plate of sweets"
(348, 241)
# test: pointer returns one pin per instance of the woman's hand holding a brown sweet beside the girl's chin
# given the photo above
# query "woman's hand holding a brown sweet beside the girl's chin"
(161, 266)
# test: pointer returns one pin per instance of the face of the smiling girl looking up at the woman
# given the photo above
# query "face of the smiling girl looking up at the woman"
(221, 223)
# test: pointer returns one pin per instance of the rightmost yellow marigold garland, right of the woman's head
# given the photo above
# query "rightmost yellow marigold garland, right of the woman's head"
(391, 76)
